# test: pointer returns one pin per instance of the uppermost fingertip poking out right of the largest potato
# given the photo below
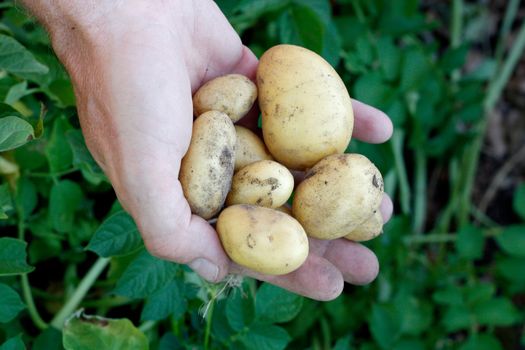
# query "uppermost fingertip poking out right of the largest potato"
(370, 124)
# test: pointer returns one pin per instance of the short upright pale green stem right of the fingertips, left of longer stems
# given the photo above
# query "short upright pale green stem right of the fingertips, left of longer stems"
(420, 200)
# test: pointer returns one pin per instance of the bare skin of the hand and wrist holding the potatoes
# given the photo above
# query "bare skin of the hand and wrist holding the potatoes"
(135, 65)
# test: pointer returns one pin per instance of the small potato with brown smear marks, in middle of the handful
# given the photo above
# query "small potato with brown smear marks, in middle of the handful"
(265, 183)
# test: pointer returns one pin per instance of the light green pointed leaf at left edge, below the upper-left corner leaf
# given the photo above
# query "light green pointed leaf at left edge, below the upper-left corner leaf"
(14, 132)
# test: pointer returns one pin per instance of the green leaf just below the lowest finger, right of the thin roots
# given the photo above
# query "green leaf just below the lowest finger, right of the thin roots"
(274, 304)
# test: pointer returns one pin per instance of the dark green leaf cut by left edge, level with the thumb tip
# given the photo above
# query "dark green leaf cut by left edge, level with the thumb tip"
(13, 257)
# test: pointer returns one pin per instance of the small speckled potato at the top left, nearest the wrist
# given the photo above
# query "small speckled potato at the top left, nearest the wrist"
(232, 94)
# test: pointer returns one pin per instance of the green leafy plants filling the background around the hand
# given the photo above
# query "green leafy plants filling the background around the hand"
(449, 74)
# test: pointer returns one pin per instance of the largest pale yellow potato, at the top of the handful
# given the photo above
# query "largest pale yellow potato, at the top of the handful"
(306, 110)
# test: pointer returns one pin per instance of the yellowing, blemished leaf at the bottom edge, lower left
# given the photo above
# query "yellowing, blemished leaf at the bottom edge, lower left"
(83, 332)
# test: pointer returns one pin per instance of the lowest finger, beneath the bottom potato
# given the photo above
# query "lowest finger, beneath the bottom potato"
(317, 279)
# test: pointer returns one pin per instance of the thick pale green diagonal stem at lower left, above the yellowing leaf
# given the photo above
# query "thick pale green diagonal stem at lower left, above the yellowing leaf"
(80, 292)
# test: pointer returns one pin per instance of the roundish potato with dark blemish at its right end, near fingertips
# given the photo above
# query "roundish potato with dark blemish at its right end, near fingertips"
(337, 195)
